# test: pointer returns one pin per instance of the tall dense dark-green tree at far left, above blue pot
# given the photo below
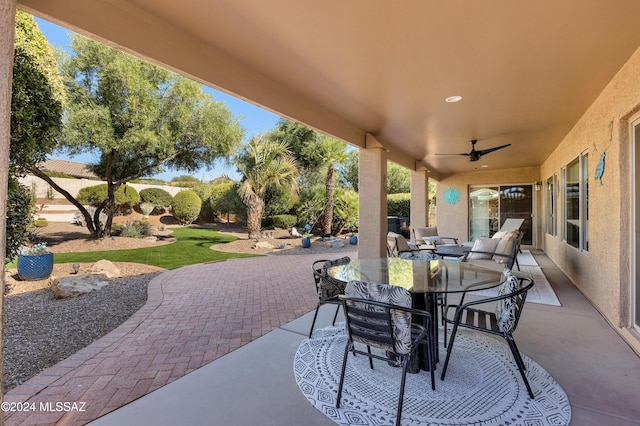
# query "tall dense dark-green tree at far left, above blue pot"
(36, 121)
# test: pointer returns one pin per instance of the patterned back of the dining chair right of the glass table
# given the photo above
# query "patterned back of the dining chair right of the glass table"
(509, 308)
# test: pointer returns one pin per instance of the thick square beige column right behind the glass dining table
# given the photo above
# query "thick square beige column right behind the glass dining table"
(372, 179)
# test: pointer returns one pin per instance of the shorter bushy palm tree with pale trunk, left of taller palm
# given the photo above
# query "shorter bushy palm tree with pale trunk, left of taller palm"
(264, 164)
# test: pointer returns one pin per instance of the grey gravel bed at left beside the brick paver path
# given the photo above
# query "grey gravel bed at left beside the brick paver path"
(40, 331)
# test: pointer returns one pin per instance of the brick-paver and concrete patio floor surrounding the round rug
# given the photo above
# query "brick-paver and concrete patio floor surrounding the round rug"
(215, 344)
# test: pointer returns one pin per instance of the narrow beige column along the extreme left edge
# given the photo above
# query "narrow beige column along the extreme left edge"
(7, 35)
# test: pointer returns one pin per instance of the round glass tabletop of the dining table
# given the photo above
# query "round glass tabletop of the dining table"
(419, 276)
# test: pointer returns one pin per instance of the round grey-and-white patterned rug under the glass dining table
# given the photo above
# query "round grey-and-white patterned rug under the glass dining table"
(482, 387)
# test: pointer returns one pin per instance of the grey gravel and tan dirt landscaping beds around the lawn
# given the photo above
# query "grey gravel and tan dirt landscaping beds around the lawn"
(40, 331)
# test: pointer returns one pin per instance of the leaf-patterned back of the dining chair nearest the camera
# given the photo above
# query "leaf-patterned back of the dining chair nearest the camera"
(372, 320)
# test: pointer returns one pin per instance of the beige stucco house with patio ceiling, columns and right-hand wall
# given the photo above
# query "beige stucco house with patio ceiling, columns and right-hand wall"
(410, 81)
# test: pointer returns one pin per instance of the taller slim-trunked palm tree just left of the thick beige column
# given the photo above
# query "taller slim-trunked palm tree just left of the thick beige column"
(314, 152)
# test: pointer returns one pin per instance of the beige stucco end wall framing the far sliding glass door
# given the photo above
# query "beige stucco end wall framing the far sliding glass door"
(453, 219)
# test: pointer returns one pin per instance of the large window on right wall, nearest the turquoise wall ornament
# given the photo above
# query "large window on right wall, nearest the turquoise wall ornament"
(576, 194)
